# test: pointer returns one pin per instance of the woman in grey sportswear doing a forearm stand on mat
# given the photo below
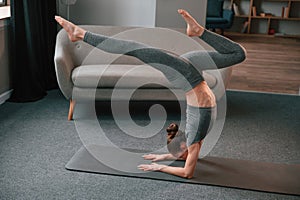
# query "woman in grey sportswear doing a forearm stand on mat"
(201, 102)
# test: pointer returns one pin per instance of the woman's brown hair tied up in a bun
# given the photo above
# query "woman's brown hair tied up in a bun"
(174, 139)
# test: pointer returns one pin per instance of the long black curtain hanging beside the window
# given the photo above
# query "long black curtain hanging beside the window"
(33, 36)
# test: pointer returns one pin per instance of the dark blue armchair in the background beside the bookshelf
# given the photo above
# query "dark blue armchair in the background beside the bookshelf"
(217, 17)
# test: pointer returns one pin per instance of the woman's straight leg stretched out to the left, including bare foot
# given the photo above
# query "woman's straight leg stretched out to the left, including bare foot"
(177, 70)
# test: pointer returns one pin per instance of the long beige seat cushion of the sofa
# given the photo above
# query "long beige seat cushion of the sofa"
(88, 76)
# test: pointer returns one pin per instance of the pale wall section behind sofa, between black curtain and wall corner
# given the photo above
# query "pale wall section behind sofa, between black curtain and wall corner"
(111, 12)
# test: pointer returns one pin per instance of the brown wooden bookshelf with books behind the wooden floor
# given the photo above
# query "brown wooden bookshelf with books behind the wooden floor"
(254, 8)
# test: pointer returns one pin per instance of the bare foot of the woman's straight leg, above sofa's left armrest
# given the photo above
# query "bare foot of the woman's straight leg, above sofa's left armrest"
(75, 33)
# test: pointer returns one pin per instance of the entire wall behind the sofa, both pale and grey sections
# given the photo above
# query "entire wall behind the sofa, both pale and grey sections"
(148, 13)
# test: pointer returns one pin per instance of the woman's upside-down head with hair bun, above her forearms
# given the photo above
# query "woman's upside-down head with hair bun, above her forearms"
(176, 141)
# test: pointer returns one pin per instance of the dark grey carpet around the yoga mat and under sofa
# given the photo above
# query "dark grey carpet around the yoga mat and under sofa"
(36, 141)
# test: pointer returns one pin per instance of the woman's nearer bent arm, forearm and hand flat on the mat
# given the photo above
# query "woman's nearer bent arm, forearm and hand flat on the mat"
(186, 172)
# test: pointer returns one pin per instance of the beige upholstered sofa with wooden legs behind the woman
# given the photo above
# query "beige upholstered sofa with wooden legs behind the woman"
(86, 73)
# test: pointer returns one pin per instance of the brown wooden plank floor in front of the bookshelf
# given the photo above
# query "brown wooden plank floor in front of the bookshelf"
(272, 65)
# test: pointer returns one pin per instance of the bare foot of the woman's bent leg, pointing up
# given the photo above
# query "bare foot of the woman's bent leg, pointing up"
(193, 28)
